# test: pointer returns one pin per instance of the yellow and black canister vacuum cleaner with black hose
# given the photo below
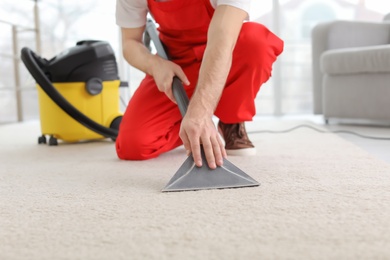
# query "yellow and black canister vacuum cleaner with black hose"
(78, 92)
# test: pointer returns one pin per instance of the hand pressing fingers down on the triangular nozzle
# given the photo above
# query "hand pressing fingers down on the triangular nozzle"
(196, 130)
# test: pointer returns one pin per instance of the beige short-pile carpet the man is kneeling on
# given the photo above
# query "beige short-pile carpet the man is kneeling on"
(320, 198)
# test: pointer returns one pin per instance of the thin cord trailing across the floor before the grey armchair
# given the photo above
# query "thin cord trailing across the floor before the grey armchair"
(318, 130)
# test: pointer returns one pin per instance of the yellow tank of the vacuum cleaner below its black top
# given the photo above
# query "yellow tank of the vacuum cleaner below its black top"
(102, 108)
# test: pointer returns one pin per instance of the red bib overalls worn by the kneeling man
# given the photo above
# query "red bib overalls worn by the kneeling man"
(151, 123)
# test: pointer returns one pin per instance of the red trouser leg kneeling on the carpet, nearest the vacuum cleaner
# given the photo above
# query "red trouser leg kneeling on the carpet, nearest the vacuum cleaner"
(151, 123)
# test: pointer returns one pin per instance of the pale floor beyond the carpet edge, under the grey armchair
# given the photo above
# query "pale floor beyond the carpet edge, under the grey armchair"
(372, 137)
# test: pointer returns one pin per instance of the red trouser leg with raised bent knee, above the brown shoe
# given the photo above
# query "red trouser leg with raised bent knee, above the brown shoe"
(255, 52)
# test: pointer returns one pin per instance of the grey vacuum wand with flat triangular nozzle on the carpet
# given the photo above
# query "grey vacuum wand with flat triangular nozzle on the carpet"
(189, 176)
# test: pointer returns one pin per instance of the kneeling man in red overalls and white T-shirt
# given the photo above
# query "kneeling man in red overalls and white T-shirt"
(222, 61)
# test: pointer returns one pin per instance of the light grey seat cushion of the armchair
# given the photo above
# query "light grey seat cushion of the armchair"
(374, 59)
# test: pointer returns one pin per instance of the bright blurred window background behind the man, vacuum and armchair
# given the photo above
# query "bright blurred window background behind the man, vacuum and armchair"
(60, 24)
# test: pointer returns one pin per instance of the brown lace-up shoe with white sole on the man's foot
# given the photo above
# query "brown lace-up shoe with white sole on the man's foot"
(236, 139)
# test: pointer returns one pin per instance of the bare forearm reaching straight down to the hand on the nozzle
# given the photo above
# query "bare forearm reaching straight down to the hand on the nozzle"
(217, 60)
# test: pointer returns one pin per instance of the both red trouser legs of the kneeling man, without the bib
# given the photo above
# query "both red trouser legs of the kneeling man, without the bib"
(151, 123)
